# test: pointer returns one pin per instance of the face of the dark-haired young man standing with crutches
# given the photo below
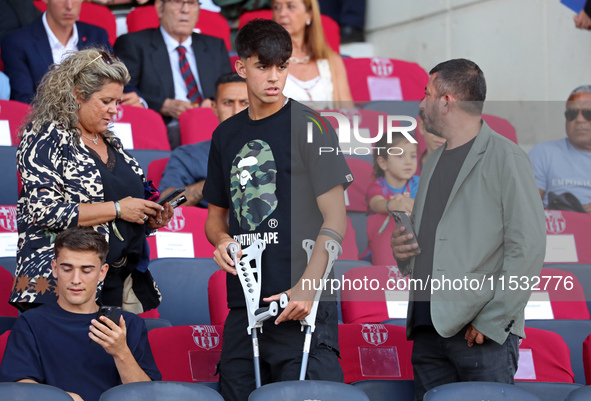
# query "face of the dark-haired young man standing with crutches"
(265, 83)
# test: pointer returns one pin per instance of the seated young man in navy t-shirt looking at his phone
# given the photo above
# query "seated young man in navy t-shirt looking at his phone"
(63, 345)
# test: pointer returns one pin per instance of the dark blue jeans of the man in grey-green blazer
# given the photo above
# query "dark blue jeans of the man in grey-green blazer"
(437, 360)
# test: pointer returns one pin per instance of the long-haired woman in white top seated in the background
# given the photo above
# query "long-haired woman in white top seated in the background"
(316, 72)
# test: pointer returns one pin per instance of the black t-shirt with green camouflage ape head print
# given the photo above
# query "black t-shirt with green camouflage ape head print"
(268, 176)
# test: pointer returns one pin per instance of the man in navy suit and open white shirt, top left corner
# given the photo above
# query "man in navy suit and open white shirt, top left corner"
(28, 52)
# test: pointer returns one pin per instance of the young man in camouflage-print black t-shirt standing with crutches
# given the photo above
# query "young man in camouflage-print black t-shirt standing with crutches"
(267, 180)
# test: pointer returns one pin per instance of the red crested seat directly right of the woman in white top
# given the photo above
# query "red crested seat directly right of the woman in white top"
(385, 79)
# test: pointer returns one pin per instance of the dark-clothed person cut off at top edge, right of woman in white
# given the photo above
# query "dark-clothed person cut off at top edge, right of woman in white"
(349, 14)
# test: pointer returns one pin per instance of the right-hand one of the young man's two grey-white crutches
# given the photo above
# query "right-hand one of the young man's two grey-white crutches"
(309, 322)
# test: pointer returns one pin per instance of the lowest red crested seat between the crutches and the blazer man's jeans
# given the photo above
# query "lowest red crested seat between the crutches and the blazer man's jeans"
(374, 351)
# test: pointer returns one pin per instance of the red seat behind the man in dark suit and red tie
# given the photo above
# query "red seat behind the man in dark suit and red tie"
(209, 23)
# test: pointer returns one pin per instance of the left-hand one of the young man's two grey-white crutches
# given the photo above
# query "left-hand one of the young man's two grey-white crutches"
(251, 287)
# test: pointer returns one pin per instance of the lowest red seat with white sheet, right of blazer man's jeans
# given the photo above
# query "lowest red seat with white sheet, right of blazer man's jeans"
(550, 356)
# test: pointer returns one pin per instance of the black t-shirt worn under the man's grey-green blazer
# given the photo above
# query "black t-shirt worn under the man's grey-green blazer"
(440, 186)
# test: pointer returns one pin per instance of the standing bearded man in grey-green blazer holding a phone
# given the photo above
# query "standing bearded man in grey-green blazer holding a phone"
(479, 219)
